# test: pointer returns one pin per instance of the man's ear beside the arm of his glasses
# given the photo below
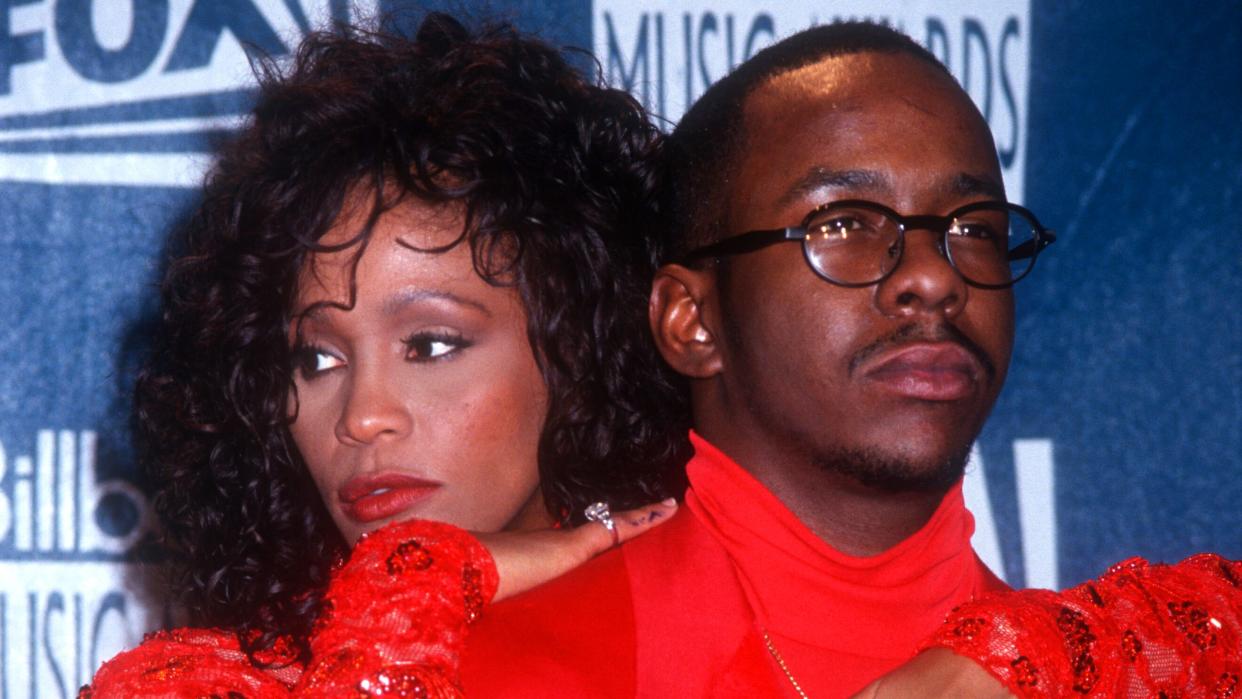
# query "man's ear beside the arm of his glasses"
(684, 330)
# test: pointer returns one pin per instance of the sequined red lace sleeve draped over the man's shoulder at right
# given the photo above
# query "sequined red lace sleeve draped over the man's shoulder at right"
(1138, 631)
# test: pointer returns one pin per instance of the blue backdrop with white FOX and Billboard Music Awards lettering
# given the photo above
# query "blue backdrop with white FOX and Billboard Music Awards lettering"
(1121, 429)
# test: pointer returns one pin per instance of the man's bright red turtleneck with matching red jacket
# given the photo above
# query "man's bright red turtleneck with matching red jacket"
(682, 610)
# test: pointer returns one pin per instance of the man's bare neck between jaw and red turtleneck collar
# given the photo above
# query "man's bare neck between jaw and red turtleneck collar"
(851, 518)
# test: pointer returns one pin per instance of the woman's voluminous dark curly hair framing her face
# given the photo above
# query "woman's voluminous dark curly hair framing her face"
(556, 178)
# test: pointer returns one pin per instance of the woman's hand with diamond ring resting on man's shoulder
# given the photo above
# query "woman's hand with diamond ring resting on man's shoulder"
(526, 559)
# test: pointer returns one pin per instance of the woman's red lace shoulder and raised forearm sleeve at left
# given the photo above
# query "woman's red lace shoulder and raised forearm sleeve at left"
(393, 625)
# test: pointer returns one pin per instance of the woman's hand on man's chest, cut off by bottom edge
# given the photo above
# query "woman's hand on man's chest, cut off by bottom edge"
(937, 672)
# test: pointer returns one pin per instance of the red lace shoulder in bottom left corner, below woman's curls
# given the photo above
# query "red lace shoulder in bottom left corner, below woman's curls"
(187, 664)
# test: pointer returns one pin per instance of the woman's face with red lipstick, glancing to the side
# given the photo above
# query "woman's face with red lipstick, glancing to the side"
(423, 400)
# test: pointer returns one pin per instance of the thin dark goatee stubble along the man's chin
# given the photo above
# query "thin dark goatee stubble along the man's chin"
(890, 475)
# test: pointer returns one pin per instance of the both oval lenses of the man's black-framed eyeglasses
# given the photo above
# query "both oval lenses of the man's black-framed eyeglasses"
(858, 245)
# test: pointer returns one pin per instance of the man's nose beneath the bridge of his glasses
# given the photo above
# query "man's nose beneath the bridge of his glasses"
(925, 282)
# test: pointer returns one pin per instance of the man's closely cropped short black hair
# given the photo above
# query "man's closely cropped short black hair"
(704, 148)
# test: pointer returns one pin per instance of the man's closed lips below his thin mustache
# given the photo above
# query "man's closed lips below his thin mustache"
(938, 372)
